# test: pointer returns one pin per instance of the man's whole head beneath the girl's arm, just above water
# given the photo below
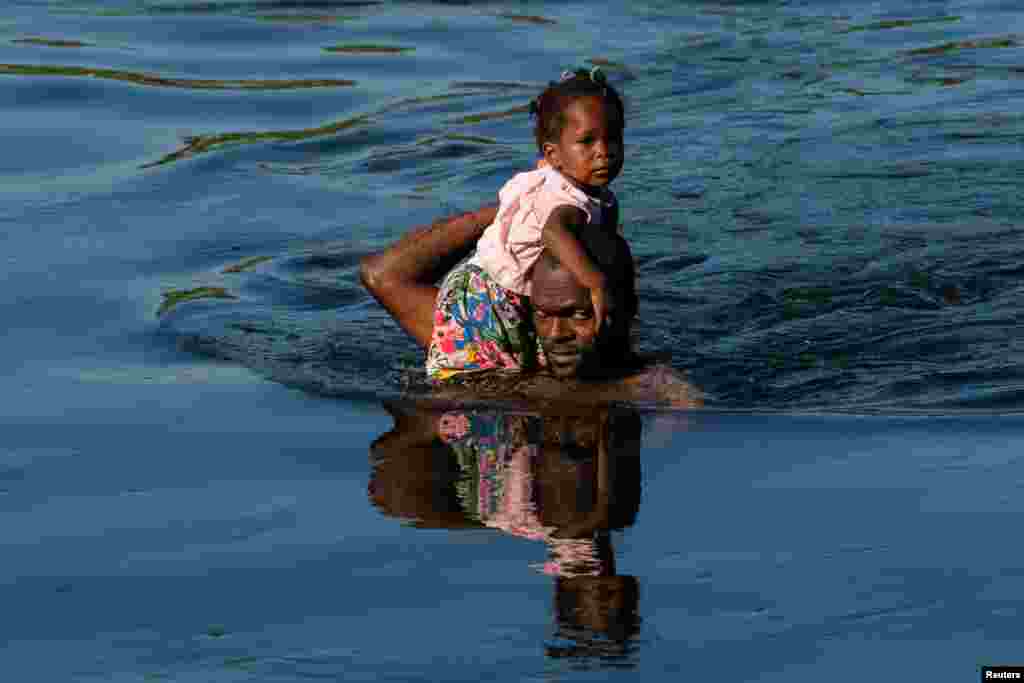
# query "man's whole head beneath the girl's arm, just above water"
(564, 316)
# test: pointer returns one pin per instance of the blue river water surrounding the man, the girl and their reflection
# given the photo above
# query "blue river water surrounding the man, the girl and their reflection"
(823, 202)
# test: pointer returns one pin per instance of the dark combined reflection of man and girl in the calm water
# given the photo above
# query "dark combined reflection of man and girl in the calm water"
(567, 477)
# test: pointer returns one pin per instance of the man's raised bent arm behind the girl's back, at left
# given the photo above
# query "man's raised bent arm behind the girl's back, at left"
(403, 277)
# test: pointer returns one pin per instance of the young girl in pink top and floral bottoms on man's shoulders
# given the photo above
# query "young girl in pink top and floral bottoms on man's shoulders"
(482, 318)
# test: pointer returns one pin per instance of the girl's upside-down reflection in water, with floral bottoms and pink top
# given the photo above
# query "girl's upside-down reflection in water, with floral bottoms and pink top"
(507, 487)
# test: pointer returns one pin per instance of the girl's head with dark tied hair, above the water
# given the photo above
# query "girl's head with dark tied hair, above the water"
(579, 130)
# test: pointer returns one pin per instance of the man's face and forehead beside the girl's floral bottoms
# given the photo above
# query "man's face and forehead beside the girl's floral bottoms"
(564, 318)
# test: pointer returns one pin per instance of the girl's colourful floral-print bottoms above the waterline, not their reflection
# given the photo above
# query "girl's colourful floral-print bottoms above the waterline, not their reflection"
(480, 325)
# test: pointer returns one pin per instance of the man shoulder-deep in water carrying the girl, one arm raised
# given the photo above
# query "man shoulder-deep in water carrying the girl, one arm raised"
(582, 362)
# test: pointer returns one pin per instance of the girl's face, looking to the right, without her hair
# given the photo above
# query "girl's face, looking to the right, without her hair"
(590, 150)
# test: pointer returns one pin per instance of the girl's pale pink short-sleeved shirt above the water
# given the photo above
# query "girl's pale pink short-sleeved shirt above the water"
(511, 245)
